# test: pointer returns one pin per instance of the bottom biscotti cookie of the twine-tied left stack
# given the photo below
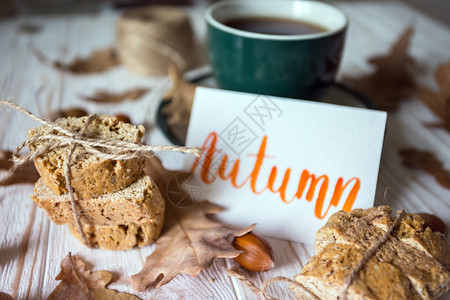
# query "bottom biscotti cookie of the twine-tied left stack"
(120, 237)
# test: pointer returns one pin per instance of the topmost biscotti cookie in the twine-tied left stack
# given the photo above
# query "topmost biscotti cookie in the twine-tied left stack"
(91, 176)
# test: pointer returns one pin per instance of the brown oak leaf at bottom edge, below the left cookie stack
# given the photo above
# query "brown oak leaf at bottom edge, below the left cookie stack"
(77, 282)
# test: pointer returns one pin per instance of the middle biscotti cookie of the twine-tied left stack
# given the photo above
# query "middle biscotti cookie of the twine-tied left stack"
(140, 202)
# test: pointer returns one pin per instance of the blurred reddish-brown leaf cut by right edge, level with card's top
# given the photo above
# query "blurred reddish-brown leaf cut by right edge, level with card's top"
(439, 102)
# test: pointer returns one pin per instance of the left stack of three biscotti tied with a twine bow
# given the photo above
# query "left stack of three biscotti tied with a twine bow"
(89, 156)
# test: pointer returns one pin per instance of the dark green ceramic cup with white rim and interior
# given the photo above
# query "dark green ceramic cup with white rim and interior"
(296, 66)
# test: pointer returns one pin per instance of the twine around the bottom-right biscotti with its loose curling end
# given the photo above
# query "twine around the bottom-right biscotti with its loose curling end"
(239, 274)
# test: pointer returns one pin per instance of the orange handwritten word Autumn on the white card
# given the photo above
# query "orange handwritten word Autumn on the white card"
(321, 182)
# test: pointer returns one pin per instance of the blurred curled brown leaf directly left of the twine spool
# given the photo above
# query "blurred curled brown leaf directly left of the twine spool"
(98, 61)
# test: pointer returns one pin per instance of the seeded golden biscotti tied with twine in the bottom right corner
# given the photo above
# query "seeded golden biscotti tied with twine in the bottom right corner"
(413, 263)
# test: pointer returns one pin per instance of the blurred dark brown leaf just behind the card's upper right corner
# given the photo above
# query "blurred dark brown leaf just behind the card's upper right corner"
(393, 80)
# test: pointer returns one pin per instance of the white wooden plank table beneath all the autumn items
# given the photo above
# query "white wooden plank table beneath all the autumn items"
(32, 247)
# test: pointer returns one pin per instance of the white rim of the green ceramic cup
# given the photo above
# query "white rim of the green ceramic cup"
(213, 22)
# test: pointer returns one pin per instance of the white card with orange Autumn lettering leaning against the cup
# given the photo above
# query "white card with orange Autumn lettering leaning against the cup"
(284, 164)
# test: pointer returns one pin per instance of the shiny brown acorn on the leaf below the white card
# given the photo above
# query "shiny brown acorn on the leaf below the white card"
(257, 254)
